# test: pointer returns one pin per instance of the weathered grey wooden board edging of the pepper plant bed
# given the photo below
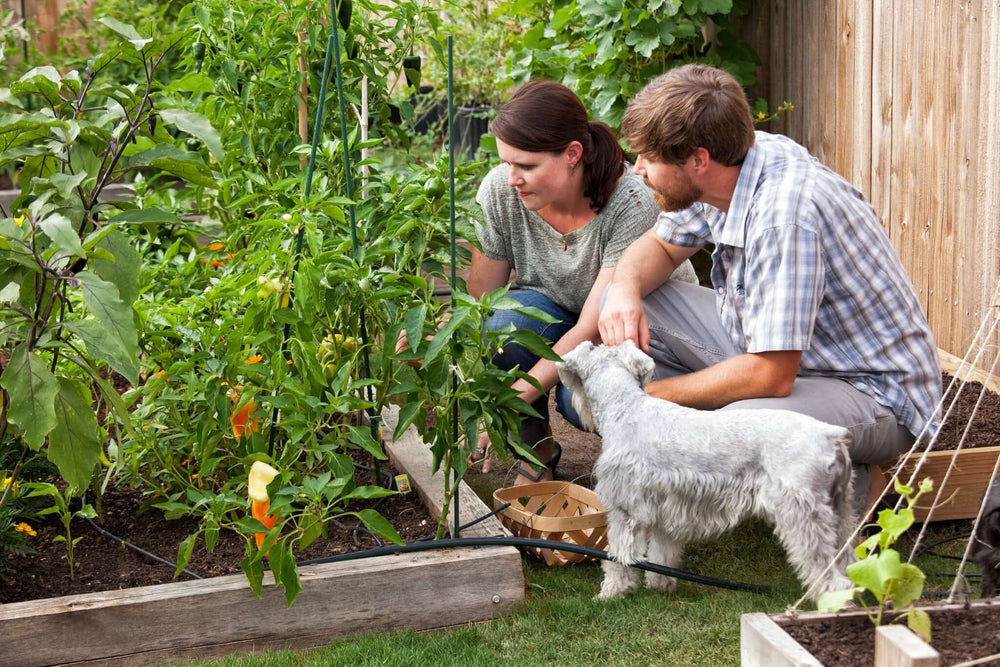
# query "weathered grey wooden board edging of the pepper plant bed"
(214, 617)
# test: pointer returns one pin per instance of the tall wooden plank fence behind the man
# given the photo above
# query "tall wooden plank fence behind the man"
(902, 97)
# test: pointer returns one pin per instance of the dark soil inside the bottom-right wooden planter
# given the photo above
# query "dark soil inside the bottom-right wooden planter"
(958, 635)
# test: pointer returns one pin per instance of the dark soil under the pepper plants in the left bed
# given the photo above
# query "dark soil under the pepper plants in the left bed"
(103, 564)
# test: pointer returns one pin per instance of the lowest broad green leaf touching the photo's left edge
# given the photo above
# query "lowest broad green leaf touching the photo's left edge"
(32, 389)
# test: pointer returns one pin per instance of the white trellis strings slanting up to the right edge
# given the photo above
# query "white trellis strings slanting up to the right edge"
(981, 333)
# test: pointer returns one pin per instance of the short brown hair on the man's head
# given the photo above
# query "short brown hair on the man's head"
(690, 107)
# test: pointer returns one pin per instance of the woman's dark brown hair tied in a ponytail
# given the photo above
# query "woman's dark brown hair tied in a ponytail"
(544, 117)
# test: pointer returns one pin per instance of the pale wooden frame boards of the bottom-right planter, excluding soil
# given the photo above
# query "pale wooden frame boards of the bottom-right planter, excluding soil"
(764, 642)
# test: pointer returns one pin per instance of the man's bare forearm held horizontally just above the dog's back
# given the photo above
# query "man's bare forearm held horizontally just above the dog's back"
(751, 375)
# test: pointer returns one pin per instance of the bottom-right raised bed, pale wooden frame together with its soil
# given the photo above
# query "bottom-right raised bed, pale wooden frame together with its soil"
(765, 640)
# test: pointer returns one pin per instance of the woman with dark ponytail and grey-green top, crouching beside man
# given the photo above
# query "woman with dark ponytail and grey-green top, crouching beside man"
(559, 211)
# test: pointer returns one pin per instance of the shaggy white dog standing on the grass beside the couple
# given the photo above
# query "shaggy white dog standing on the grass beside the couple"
(668, 475)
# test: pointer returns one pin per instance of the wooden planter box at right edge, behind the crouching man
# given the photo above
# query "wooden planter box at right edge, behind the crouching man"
(973, 471)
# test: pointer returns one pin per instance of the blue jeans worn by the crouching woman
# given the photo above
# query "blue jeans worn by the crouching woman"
(533, 429)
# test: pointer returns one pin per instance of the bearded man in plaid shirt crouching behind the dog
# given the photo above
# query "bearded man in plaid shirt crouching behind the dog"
(811, 310)
